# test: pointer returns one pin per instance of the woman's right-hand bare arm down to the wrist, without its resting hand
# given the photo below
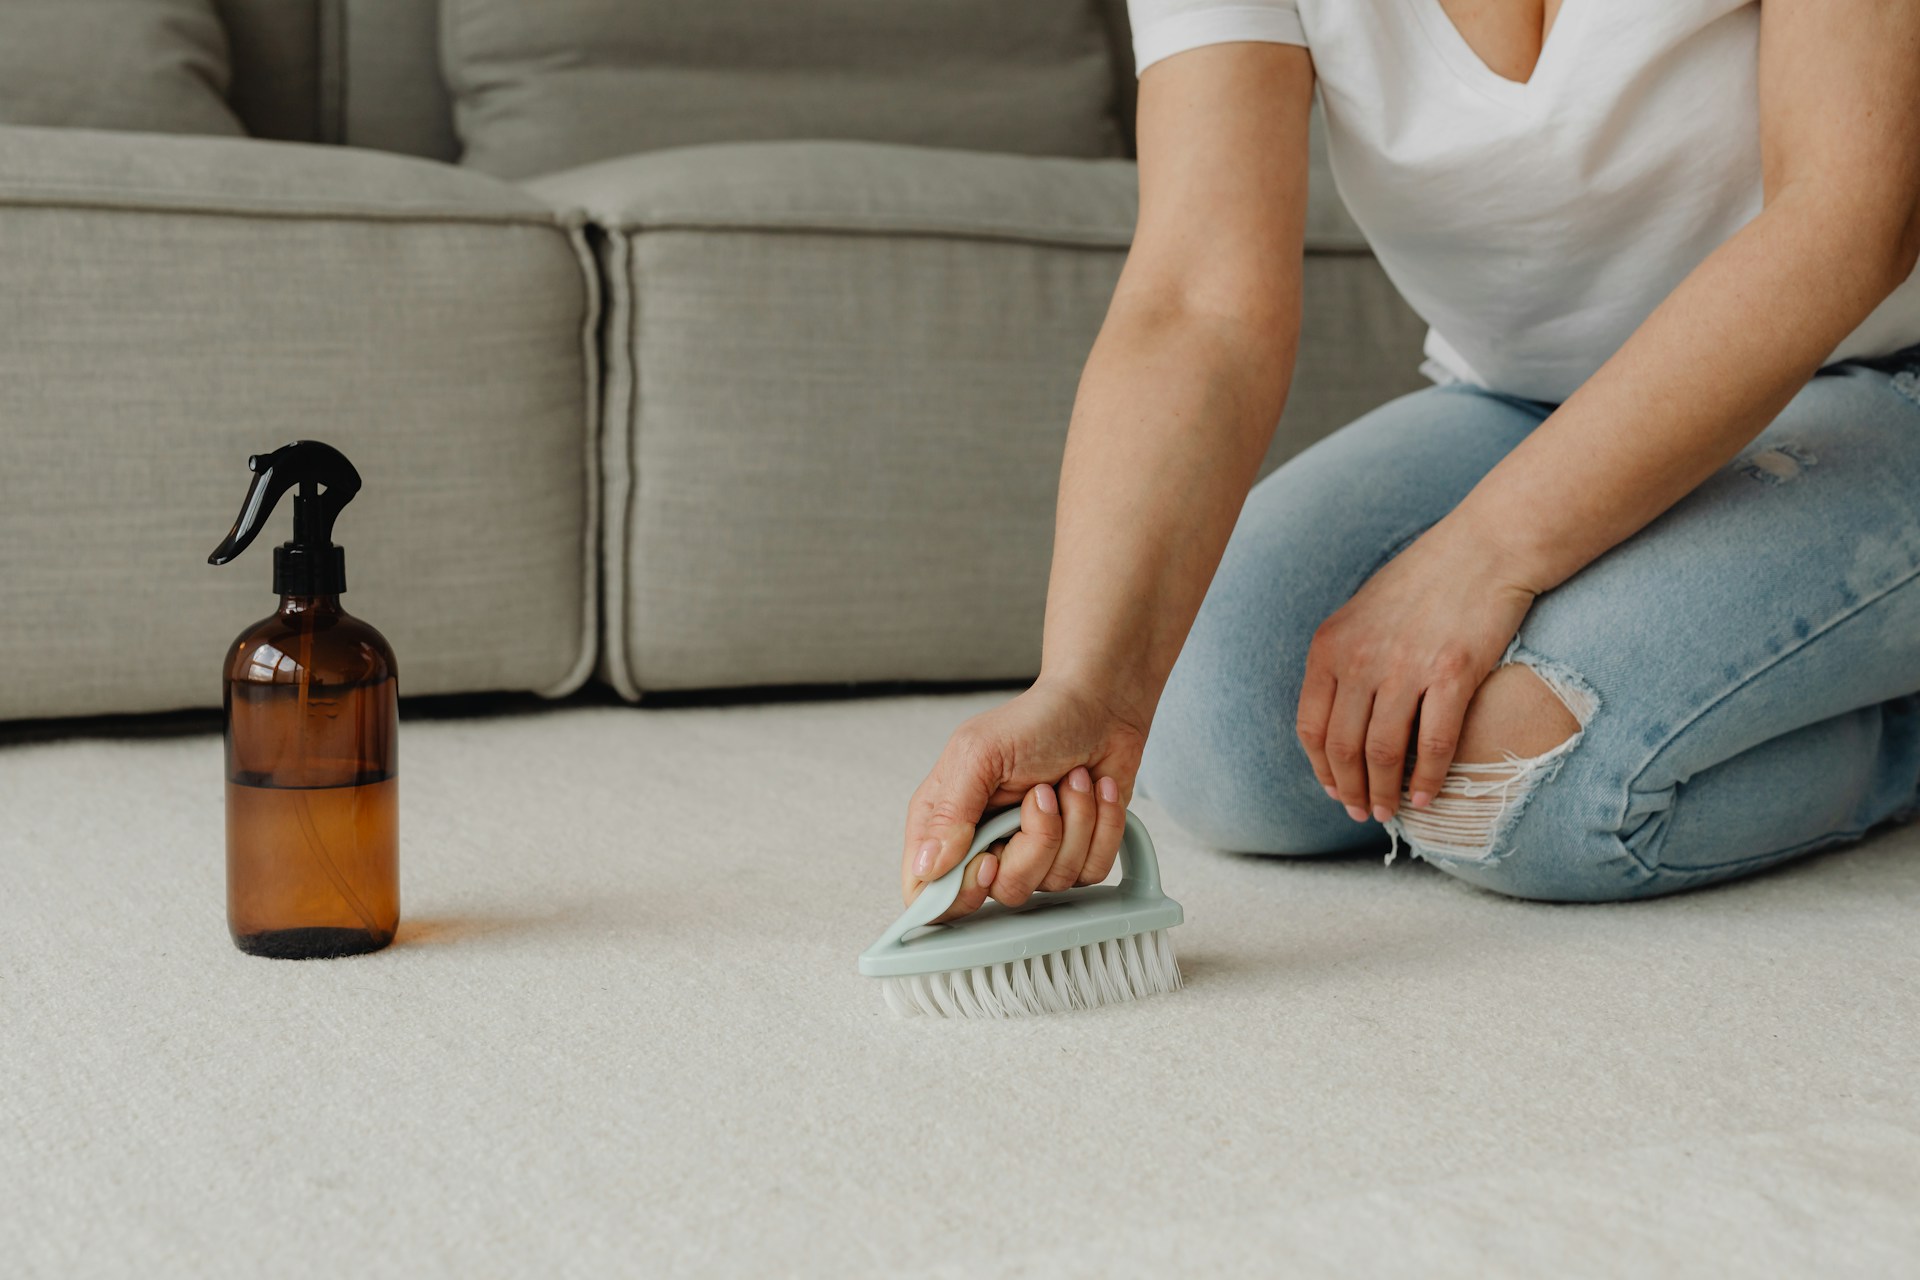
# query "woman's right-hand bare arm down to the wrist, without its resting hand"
(1729, 348)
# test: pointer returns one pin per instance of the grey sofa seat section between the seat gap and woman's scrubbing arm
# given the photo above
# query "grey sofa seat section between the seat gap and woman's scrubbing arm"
(825, 364)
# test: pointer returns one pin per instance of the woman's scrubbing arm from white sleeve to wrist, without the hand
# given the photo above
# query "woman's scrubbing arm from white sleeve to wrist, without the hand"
(1188, 379)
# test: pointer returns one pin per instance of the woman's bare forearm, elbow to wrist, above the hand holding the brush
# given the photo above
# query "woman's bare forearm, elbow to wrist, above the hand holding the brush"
(1174, 414)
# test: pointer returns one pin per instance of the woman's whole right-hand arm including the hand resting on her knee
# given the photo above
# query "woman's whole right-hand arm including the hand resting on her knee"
(1698, 381)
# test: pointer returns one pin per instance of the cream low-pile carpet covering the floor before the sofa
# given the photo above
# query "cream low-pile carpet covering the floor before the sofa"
(623, 1035)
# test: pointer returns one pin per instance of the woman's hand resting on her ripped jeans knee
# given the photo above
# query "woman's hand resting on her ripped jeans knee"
(1414, 644)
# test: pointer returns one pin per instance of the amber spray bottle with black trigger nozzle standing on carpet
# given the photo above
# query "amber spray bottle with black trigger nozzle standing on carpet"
(312, 736)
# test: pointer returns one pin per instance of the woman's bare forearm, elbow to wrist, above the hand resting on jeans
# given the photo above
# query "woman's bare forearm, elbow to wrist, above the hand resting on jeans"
(1700, 379)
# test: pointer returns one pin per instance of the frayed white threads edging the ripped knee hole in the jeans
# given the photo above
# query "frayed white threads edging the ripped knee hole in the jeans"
(1481, 801)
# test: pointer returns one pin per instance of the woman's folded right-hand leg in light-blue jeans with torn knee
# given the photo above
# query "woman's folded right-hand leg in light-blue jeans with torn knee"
(1744, 667)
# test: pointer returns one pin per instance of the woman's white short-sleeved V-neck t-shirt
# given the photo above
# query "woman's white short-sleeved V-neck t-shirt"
(1531, 225)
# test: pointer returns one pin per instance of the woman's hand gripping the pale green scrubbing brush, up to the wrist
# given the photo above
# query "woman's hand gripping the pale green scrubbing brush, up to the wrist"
(1067, 759)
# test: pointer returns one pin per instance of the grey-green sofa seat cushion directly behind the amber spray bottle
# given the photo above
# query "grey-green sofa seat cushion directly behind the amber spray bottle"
(178, 304)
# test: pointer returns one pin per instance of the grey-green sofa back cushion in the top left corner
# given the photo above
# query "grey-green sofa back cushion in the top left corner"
(116, 64)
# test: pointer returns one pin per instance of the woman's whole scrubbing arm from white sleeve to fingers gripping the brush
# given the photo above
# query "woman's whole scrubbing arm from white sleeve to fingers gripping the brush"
(1176, 408)
